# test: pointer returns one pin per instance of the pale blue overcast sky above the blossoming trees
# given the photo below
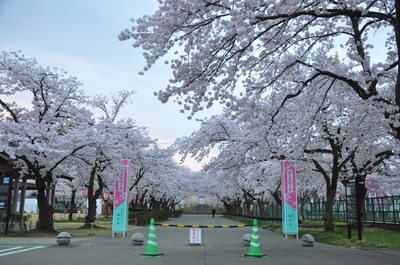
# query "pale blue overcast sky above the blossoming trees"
(81, 37)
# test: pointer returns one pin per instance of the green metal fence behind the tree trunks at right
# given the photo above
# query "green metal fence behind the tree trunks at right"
(377, 210)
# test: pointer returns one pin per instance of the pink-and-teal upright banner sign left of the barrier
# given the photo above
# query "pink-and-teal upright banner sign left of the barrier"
(121, 200)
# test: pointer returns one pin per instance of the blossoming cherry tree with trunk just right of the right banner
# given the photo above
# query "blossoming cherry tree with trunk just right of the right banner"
(343, 141)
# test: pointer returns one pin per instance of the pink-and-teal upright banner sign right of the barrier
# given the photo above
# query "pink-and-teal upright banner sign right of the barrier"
(289, 199)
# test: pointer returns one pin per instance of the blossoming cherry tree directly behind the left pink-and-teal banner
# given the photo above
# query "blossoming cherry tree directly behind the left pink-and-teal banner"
(114, 140)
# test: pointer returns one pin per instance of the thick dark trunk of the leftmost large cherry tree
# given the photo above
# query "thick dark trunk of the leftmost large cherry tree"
(46, 211)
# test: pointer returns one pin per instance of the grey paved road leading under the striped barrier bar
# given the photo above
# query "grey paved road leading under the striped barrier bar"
(219, 246)
